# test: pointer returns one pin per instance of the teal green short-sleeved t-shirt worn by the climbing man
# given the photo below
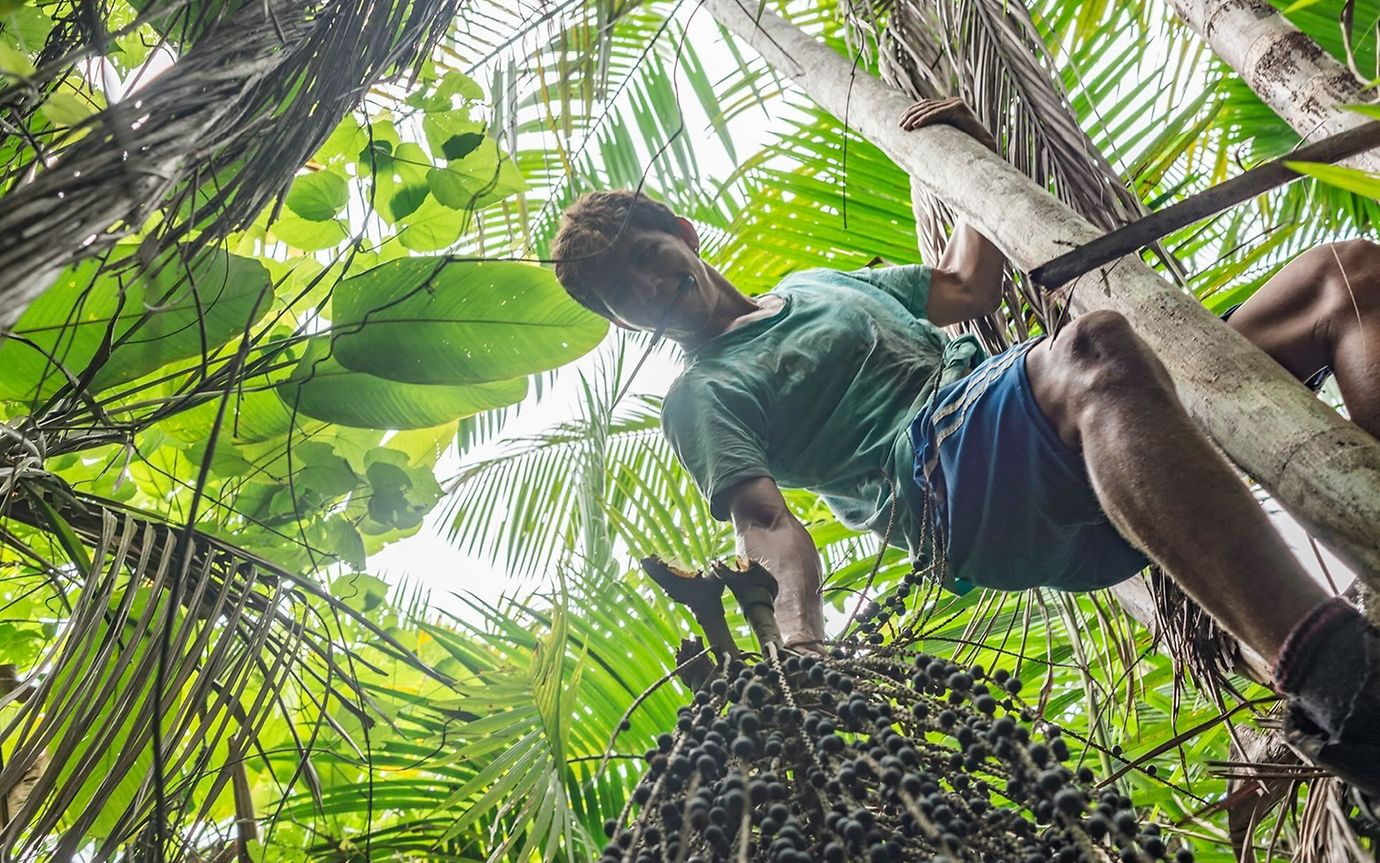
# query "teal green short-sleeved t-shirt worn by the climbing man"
(820, 396)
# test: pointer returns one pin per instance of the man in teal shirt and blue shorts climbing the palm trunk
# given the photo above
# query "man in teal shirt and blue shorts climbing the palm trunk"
(1065, 462)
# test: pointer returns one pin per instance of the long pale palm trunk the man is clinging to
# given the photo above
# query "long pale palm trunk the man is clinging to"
(1323, 469)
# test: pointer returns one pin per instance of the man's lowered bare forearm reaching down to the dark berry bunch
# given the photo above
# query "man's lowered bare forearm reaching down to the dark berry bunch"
(769, 534)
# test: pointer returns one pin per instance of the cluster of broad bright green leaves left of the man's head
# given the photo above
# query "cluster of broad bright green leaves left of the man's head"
(314, 391)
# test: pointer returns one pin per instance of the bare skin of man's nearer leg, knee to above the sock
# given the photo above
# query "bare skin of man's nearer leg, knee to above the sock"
(1163, 483)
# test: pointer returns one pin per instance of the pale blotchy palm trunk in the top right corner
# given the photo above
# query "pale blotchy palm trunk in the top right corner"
(1291, 74)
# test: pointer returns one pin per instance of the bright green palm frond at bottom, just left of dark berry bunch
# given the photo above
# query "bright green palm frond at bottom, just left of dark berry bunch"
(507, 764)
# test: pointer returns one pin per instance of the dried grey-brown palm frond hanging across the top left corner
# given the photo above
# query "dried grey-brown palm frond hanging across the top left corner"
(212, 142)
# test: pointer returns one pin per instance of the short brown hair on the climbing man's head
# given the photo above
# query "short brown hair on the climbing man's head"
(590, 231)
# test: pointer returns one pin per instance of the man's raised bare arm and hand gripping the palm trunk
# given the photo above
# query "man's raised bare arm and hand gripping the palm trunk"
(968, 281)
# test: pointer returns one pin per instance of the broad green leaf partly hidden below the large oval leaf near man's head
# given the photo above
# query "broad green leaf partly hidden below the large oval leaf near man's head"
(324, 390)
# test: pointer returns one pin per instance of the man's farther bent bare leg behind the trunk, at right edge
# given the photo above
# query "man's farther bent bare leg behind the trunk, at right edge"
(1324, 310)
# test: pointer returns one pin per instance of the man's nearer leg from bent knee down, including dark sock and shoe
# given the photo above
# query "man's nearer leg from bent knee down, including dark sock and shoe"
(1168, 491)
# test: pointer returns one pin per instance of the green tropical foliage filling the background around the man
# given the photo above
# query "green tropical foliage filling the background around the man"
(263, 313)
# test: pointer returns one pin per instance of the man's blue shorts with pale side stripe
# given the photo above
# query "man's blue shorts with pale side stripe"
(1014, 505)
